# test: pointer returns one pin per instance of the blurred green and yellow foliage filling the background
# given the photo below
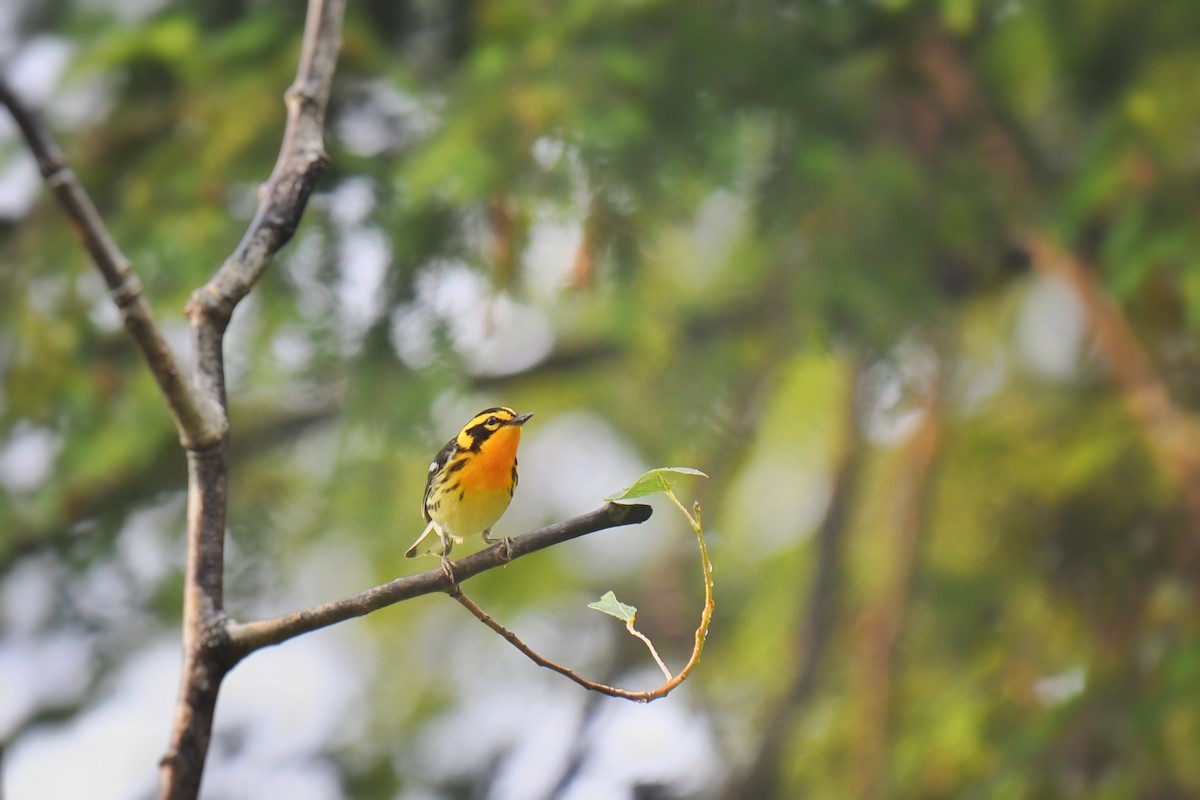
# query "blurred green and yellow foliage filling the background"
(724, 213)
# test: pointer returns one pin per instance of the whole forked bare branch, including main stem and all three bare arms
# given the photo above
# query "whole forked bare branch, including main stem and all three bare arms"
(213, 643)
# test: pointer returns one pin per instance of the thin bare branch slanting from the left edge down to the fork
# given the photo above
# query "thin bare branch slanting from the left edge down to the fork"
(201, 424)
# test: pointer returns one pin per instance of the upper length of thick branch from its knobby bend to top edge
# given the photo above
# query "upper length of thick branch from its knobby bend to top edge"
(301, 163)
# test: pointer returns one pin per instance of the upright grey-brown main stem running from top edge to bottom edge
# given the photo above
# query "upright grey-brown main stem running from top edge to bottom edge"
(208, 654)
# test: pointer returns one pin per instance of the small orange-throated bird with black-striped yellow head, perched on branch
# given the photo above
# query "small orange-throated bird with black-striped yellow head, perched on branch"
(472, 480)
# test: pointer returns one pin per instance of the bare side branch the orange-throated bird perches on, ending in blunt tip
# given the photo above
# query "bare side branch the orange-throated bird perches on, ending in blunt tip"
(248, 637)
